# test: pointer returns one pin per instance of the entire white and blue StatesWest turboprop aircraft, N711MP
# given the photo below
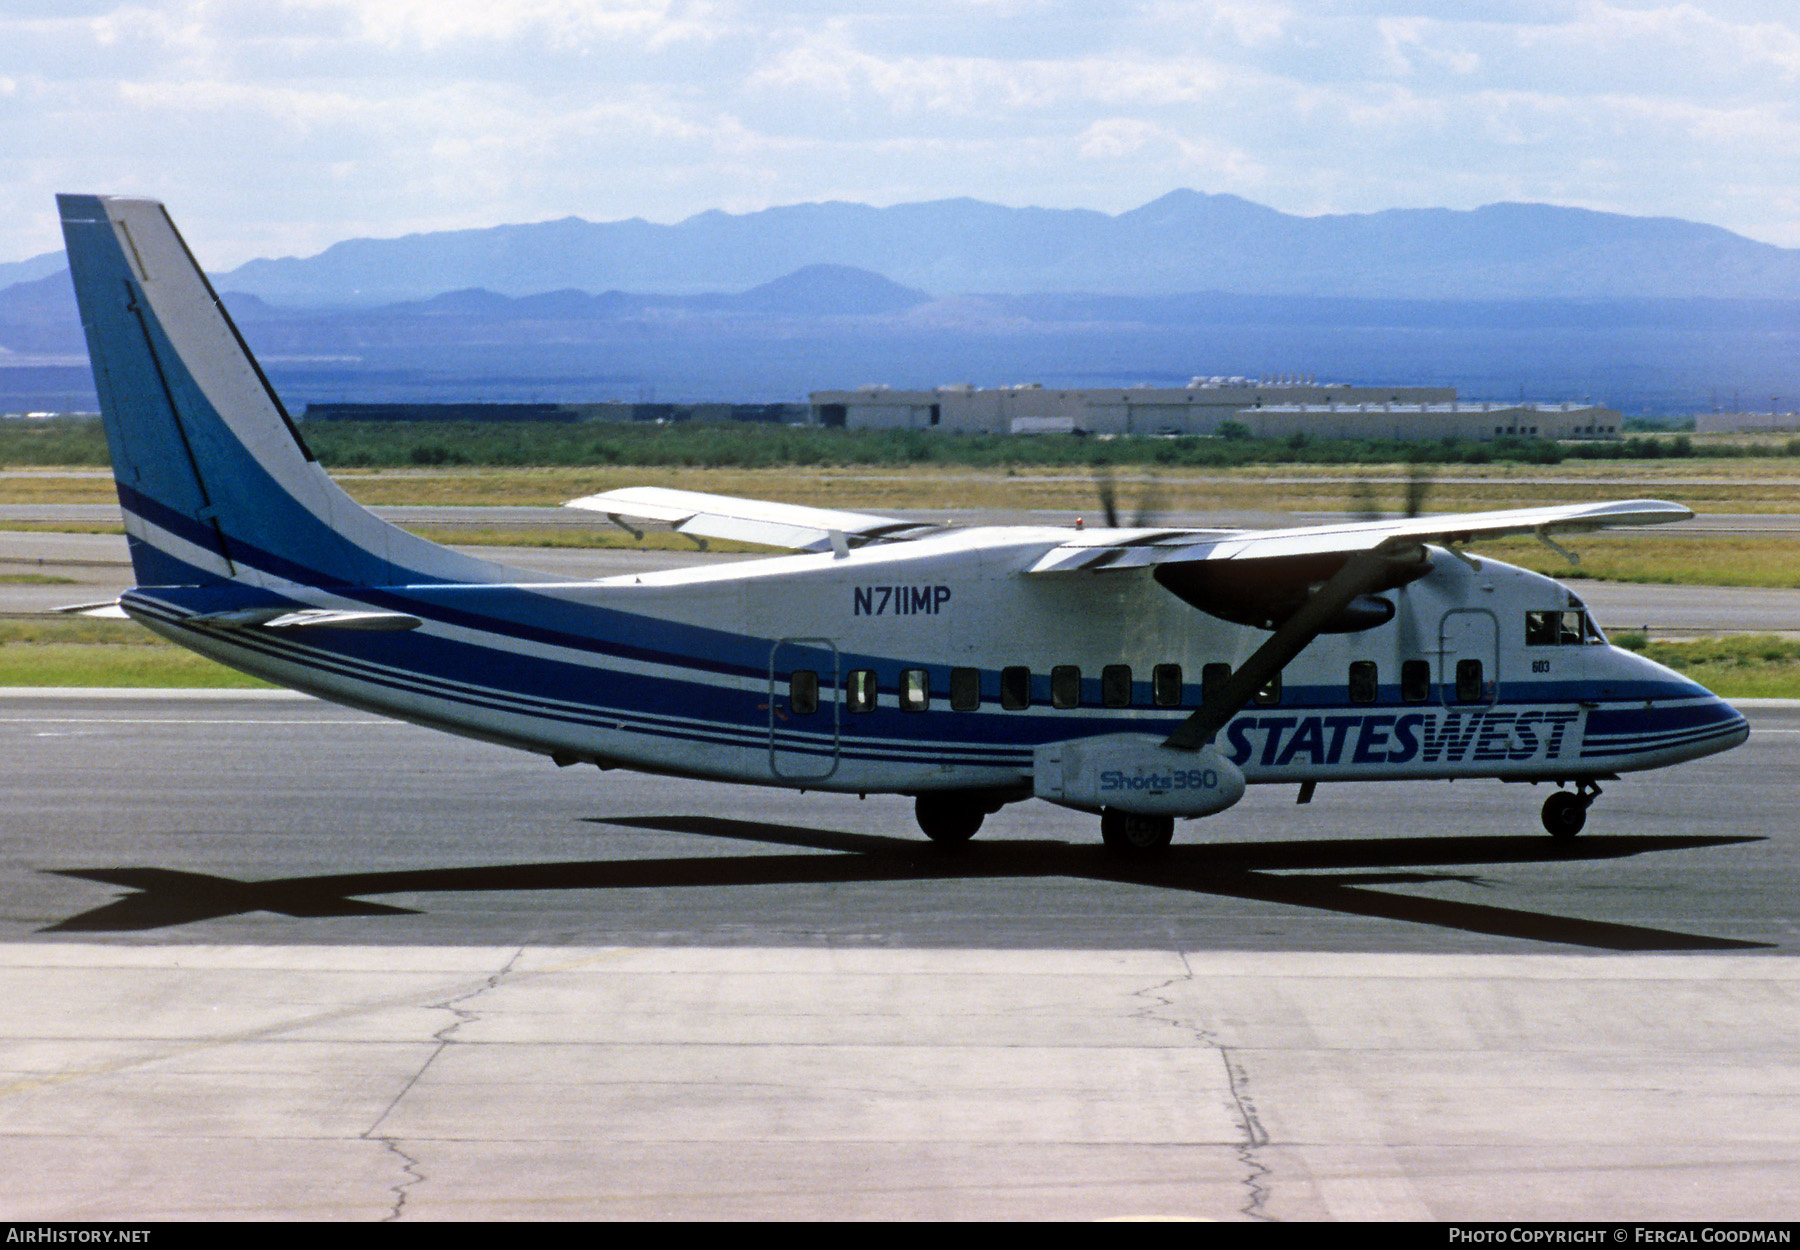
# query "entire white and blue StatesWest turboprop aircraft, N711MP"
(1135, 673)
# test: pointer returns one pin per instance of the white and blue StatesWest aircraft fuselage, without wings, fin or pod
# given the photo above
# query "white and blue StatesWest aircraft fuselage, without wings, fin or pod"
(940, 666)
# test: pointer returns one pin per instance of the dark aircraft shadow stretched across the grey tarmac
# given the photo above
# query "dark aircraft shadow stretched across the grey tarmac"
(1329, 876)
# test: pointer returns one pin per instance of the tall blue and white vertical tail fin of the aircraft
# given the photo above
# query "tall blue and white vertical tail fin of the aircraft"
(215, 480)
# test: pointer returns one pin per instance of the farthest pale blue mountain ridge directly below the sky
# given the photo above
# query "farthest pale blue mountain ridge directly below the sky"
(1183, 242)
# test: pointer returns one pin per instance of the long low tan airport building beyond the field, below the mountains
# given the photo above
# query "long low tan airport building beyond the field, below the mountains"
(1266, 408)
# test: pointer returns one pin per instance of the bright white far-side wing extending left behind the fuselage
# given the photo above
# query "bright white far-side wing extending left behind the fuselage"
(751, 520)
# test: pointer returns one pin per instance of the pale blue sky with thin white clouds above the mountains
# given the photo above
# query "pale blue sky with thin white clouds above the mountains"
(280, 127)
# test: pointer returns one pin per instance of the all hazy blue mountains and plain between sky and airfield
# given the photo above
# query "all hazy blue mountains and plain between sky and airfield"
(1509, 302)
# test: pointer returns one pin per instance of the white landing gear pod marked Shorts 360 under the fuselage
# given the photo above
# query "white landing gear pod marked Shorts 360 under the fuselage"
(1135, 774)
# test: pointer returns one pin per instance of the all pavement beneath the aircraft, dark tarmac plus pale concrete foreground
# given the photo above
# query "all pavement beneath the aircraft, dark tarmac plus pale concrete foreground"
(276, 959)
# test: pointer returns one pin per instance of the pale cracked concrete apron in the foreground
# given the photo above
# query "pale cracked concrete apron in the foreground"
(544, 1083)
